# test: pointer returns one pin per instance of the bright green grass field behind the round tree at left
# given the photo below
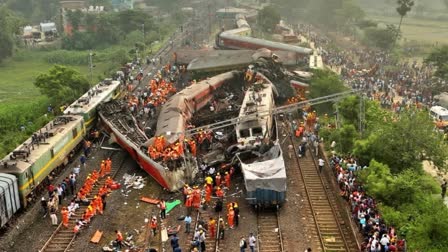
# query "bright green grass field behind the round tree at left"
(18, 74)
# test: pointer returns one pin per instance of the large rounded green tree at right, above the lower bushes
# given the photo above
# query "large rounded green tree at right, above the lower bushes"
(404, 142)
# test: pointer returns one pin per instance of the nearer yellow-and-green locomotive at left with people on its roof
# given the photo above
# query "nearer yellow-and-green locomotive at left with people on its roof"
(46, 150)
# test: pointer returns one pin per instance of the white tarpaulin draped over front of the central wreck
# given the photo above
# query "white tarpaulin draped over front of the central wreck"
(267, 174)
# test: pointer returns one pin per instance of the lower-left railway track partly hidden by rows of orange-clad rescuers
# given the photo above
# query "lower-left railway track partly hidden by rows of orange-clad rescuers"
(62, 238)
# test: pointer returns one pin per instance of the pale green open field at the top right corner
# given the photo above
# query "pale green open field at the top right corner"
(419, 30)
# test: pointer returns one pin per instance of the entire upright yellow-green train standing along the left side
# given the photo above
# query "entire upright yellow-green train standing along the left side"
(24, 172)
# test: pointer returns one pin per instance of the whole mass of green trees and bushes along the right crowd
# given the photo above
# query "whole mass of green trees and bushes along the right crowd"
(393, 148)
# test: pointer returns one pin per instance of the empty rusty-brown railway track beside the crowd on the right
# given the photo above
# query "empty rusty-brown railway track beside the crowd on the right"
(331, 230)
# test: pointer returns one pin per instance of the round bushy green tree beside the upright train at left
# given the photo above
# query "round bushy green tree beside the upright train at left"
(62, 84)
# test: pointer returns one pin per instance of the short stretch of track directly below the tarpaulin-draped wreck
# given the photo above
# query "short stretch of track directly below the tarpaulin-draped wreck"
(269, 232)
